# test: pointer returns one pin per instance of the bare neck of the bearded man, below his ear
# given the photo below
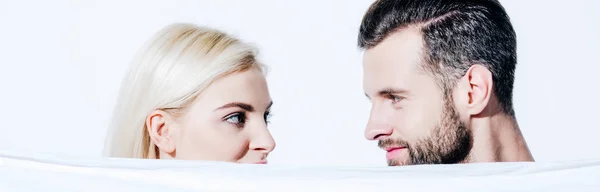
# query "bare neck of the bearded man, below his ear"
(497, 138)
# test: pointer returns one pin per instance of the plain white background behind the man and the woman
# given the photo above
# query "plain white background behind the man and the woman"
(62, 63)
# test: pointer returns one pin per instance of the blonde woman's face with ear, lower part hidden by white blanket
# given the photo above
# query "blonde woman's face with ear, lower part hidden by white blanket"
(227, 122)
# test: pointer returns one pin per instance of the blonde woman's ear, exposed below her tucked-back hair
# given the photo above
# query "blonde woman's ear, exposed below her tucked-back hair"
(159, 124)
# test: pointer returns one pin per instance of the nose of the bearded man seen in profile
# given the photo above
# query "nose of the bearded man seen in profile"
(377, 127)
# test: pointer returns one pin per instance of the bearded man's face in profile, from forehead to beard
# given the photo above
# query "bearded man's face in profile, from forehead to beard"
(410, 117)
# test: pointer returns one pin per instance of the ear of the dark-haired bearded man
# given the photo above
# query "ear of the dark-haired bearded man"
(480, 88)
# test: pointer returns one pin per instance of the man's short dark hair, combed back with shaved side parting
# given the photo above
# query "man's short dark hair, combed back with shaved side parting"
(456, 34)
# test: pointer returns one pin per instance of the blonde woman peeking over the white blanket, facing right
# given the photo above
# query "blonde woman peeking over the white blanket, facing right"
(193, 93)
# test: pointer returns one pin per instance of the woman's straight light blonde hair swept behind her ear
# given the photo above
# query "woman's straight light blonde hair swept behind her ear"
(168, 73)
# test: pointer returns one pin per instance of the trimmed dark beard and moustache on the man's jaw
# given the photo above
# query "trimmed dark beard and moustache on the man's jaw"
(450, 142)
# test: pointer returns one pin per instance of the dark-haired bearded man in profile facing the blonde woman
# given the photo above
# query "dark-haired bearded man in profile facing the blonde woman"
(440, 75)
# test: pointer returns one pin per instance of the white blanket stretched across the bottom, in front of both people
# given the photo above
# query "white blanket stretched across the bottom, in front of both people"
(39, 172)
